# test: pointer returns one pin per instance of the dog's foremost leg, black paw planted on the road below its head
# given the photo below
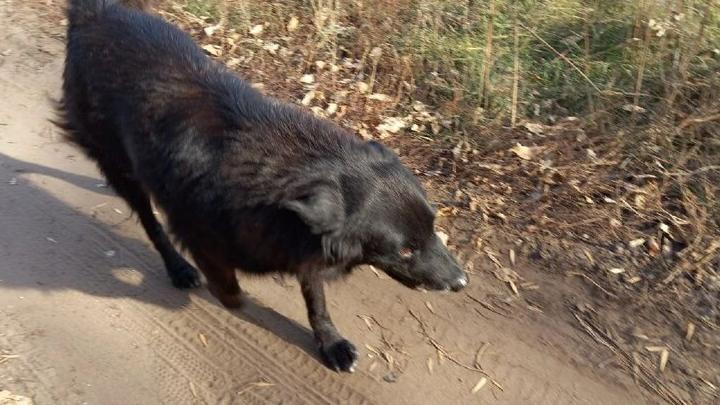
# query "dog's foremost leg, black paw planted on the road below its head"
(337, 351)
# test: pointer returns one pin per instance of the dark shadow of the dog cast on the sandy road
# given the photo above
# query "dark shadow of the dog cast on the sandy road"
(54, 240)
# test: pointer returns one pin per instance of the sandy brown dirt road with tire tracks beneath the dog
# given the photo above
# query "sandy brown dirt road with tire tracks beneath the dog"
(87, 315)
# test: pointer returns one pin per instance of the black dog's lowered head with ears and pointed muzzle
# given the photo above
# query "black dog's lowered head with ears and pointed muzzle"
(374, 211)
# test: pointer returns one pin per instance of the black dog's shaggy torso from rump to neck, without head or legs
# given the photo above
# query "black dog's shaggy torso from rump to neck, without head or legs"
(218, 156)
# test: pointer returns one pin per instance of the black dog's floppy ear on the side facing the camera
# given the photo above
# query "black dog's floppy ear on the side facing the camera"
(320, 207)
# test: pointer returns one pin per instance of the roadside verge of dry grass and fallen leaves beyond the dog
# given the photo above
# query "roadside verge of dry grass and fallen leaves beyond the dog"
(630, 185)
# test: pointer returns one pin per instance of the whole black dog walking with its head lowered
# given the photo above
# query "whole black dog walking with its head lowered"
(247, 182)
